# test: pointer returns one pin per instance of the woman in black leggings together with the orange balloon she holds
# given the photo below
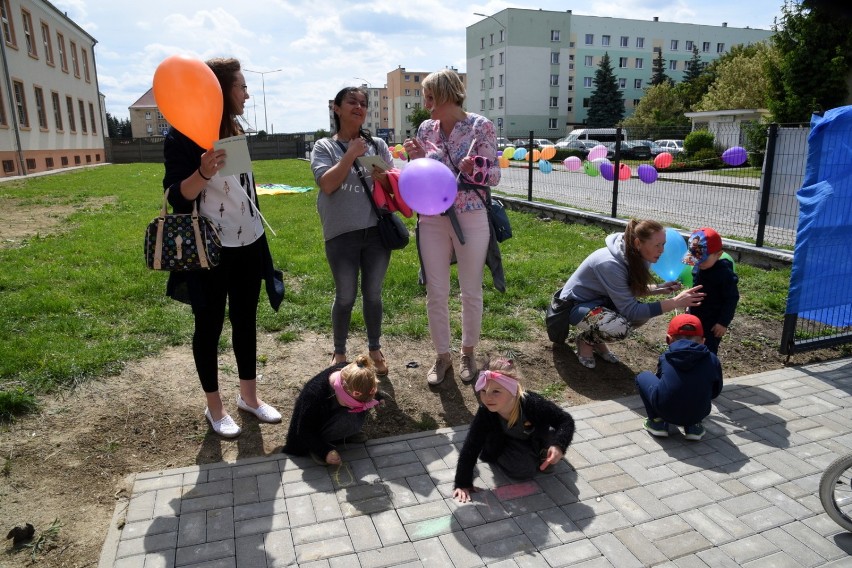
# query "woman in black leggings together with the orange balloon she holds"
(193, 176)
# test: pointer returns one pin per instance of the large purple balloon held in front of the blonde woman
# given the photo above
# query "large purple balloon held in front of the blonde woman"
(428, 186)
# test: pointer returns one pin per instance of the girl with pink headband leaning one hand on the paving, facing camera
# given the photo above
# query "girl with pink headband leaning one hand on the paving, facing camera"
(521, 431)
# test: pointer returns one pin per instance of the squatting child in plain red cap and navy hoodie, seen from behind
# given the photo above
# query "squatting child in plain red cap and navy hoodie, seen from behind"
(688, 377)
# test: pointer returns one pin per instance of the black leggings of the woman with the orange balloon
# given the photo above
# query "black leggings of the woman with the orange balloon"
(237, 280)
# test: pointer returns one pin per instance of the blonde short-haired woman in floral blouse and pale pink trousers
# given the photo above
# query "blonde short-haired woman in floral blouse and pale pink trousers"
(467, 144)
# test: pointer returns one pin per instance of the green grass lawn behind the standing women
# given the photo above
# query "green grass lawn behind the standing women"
(78, 302)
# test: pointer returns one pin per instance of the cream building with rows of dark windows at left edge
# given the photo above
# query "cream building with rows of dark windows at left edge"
(50, 109)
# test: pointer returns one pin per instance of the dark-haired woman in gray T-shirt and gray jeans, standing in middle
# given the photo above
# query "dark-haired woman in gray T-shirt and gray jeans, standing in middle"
(352, 242)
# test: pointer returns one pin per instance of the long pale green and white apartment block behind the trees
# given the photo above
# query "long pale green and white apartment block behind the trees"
(534, 69)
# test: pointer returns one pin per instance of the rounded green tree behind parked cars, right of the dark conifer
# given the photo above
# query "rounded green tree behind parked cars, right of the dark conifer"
(657, 112)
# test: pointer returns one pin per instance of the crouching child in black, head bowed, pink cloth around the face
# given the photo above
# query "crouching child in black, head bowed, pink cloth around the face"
(332, 409)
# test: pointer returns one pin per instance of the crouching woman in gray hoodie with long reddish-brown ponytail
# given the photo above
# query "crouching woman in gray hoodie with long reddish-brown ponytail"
(601, 298)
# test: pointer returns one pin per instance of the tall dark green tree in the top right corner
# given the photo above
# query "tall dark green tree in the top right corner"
(815, 47)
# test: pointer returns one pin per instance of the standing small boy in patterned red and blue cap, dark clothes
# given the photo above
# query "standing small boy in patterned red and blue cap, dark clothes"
(719, 282)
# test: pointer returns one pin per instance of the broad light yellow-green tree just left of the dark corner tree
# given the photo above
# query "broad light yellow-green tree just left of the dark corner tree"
(741, 79)
